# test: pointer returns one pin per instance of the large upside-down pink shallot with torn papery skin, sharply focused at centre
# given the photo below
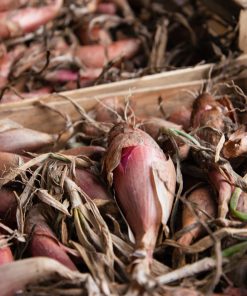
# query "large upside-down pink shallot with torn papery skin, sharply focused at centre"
(144, 181)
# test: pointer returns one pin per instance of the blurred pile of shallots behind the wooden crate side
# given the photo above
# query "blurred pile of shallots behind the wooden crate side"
(58, 45)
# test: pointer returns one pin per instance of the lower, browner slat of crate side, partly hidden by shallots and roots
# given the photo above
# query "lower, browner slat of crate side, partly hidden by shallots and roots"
(145, 101)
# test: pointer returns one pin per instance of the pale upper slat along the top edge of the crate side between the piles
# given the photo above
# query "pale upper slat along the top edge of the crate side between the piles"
(165, 79)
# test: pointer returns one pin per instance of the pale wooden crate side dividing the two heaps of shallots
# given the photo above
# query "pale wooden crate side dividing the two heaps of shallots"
(174, 87)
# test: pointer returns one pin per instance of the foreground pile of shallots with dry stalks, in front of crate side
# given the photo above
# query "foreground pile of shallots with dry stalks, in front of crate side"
(118, 204)
